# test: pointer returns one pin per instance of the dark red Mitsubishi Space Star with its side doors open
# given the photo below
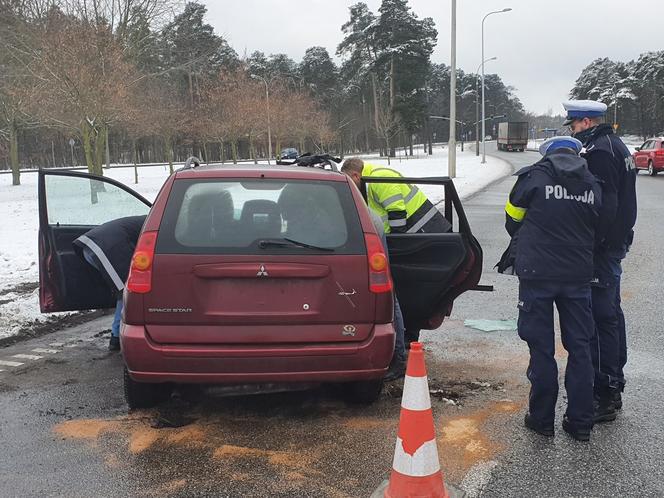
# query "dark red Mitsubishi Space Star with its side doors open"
(252, 275)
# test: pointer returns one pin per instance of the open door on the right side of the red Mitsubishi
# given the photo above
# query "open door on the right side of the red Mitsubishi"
(430, 270)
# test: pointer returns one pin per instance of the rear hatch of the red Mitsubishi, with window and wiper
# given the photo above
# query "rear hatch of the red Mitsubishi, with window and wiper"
(263, 261)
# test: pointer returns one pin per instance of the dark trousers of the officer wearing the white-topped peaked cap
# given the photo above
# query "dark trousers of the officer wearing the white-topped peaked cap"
(609, 343)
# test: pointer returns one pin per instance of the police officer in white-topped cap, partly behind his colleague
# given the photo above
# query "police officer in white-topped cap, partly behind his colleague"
(610, 160)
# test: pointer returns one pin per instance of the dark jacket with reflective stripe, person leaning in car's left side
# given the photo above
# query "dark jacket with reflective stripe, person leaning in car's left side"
(113, 245)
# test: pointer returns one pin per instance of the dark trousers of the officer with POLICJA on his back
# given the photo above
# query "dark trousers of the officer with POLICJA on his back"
(536, 327)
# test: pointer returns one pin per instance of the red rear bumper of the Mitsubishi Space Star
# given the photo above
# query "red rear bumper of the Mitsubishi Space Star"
(148, 361)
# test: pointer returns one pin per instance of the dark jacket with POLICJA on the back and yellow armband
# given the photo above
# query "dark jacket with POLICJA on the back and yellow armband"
(552, 214)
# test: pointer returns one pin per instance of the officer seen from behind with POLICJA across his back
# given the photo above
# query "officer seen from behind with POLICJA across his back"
(552, 213)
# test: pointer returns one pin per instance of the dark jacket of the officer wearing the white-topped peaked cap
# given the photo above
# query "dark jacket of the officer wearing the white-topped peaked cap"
(610, 161)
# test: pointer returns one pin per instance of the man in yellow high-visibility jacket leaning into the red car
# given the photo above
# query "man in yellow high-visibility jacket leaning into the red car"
(403, 208)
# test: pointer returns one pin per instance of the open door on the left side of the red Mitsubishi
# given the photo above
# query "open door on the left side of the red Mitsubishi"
(70, 204)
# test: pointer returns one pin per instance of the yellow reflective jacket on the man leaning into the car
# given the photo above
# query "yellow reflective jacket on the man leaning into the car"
(393, 202)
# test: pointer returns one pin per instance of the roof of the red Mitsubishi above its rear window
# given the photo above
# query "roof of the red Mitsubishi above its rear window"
(261, 171)
